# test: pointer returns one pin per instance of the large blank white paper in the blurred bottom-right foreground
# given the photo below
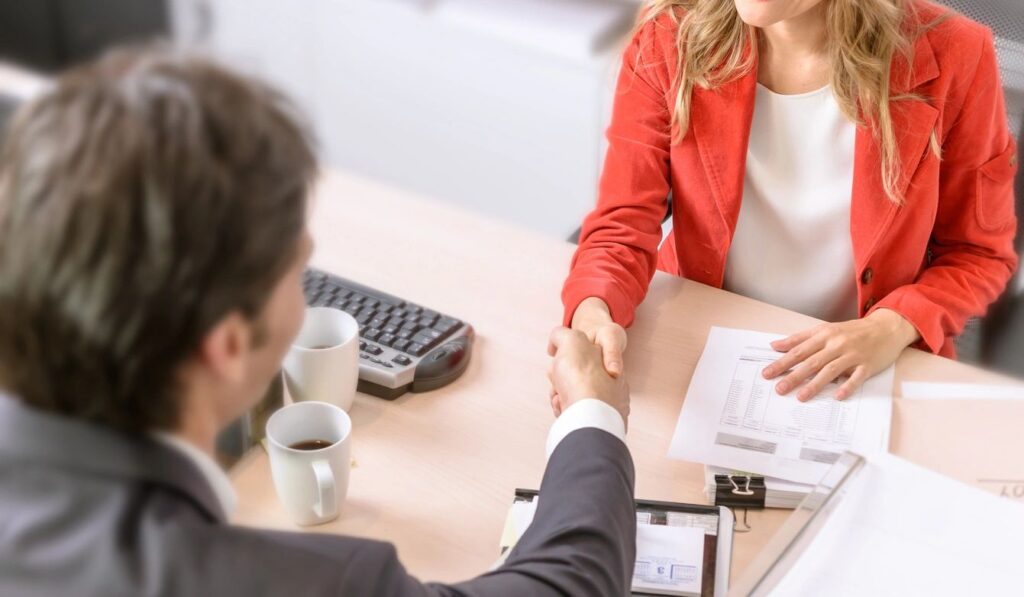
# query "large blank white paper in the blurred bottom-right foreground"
(901, 530)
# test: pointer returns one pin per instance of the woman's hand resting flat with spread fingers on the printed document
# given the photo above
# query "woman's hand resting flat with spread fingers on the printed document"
(859, 349)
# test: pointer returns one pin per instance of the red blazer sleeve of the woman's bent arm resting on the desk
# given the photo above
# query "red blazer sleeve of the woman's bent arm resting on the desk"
(972, 249)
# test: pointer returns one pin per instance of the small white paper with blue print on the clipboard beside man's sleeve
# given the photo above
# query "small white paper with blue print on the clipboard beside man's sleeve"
(670, 560)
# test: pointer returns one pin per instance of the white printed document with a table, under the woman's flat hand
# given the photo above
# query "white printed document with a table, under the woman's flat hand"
(733, 416)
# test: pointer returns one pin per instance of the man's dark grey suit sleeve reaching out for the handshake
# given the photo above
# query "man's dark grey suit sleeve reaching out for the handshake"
(583, 538)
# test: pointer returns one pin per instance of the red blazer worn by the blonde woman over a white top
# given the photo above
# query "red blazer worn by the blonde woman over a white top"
(938, 261)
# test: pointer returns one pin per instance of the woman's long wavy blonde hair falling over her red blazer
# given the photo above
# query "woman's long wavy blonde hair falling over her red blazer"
(865, 36)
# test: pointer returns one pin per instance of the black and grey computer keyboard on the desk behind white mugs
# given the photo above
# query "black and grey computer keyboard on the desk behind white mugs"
(403, 347)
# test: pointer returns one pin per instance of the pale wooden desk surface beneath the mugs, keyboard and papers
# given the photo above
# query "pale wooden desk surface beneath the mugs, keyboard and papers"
(435, 474)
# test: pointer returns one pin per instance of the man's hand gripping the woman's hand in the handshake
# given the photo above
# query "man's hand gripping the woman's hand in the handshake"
(578, 373)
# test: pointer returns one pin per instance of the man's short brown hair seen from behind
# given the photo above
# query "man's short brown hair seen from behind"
(143, 200)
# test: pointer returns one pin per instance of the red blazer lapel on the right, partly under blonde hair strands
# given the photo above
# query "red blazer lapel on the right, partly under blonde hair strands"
(872, 212)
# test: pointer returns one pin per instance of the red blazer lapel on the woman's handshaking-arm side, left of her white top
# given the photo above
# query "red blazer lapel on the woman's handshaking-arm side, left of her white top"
(720, 122)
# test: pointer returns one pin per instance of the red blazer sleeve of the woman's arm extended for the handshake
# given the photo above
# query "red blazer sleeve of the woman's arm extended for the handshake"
(618, 252)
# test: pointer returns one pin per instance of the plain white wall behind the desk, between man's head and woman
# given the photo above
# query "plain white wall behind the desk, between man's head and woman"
(501, 113)
